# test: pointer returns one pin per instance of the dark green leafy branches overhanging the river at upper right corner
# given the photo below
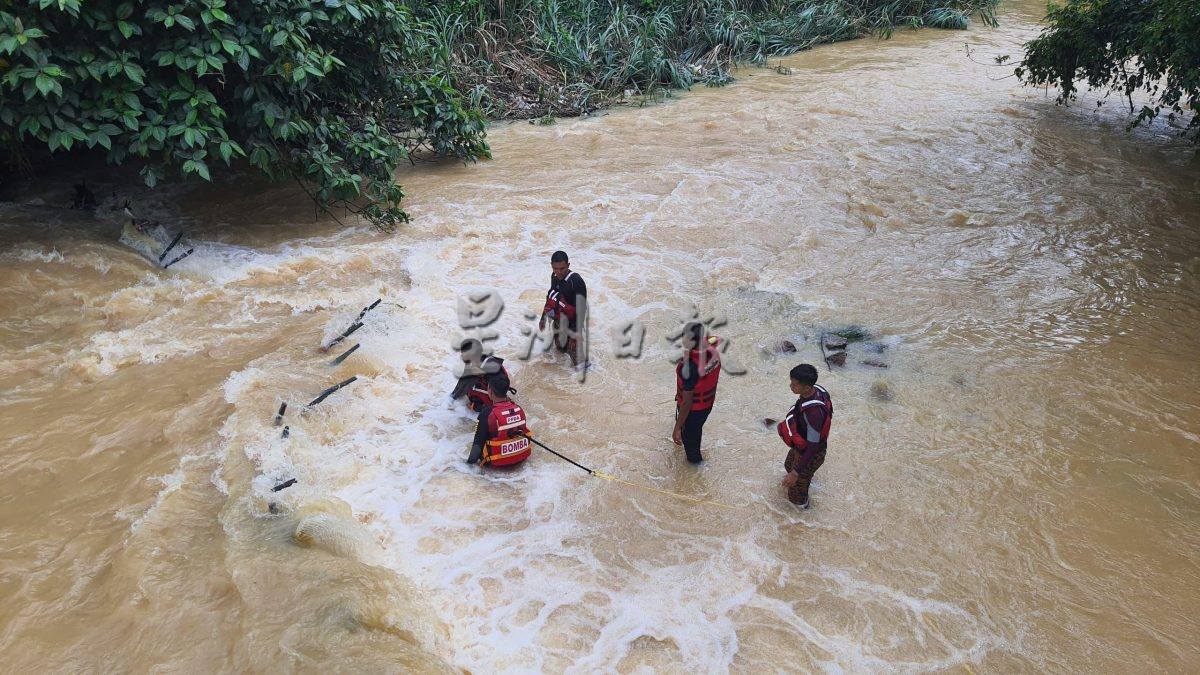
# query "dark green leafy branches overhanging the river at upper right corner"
(1125, 47)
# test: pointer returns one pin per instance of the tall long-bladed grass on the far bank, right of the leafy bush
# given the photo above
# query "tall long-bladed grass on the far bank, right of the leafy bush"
(536, 58)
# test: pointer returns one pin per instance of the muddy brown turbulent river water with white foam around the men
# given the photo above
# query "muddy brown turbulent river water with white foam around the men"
(1018, 491)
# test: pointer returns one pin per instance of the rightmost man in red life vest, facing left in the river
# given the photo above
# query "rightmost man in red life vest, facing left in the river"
(806, 432)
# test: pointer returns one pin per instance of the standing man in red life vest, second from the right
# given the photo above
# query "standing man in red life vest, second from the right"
(695, 389)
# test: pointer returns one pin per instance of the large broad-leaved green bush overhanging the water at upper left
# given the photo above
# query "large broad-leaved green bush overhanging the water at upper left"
(333, 93)
